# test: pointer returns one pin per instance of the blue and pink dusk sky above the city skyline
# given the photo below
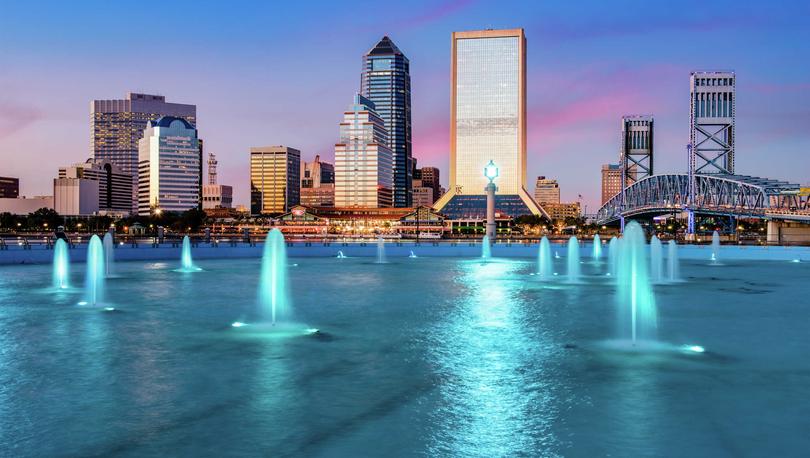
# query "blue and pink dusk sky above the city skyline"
(269, 73)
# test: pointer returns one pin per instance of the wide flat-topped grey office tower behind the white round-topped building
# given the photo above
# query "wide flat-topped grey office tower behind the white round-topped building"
(118, 125)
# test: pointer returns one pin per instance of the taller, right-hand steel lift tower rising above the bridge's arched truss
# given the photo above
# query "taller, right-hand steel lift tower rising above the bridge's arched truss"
(711, 127)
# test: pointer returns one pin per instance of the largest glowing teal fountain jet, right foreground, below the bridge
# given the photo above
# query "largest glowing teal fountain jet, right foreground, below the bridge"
(635, 296)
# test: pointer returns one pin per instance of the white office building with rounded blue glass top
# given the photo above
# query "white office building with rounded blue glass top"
(170, 167)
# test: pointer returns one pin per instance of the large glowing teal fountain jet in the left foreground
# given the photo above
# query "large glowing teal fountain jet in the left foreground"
(274, 295)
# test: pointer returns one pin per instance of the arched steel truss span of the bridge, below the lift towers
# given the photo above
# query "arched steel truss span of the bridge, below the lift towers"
(737, 196)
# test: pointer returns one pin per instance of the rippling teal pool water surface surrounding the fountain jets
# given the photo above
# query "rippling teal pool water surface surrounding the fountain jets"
(490, 363)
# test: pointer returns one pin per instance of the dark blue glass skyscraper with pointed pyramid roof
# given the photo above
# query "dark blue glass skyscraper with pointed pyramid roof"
(386, 81)
